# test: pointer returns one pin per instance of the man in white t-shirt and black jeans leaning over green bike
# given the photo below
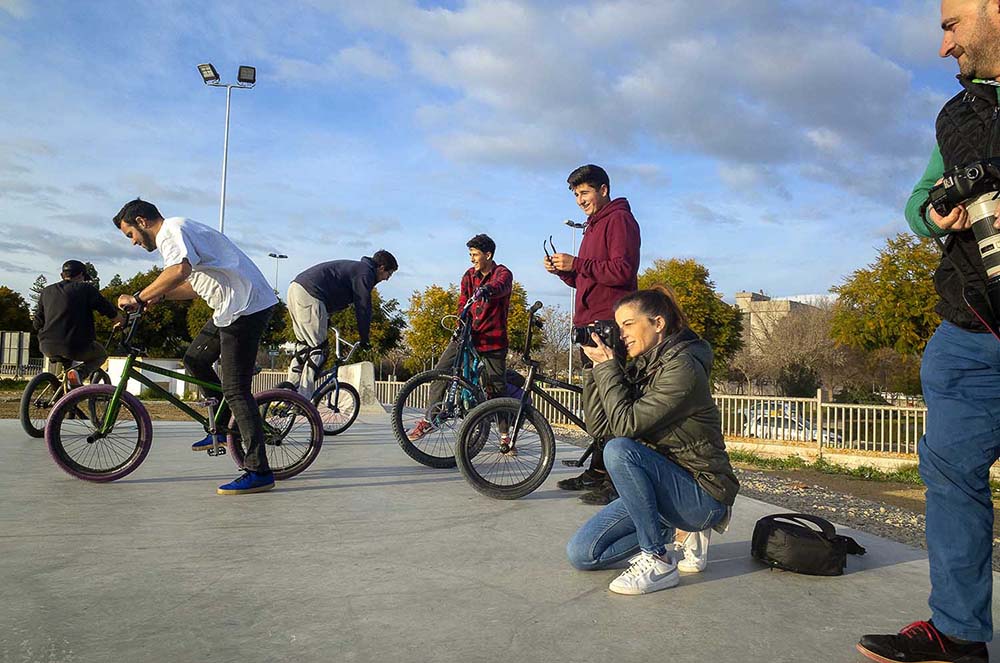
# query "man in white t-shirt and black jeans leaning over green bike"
(201, 262)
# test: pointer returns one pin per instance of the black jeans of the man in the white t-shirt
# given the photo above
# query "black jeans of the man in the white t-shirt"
(235, 347)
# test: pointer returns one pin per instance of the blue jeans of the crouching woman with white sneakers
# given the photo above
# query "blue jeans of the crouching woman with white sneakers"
(655, 496)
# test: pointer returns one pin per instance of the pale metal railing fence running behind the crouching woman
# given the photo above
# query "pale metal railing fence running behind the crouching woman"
(803, 421)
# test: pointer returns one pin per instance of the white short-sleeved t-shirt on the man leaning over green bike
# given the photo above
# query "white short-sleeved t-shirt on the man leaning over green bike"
(221, 274)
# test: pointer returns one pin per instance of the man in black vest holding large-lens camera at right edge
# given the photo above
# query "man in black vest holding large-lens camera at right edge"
(960, 371)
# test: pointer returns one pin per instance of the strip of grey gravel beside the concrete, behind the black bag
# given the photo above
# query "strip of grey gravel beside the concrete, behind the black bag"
(862, 514)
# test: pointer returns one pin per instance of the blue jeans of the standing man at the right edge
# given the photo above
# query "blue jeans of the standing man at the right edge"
(960, 374)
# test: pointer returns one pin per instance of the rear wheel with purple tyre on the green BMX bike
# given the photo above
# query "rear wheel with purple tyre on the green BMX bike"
(293, 432)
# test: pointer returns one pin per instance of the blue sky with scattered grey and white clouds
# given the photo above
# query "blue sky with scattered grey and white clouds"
(775, 142)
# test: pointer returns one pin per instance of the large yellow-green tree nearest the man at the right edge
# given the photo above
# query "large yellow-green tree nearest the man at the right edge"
(890, 303)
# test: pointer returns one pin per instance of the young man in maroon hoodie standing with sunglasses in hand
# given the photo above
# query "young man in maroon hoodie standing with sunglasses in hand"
(605, 270)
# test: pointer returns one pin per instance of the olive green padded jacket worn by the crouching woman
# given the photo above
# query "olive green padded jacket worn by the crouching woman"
(663, 399)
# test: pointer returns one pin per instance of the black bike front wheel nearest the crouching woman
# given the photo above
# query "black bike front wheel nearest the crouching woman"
(497, 460)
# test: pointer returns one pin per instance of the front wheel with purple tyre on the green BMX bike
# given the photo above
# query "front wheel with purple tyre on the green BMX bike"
(78, 446)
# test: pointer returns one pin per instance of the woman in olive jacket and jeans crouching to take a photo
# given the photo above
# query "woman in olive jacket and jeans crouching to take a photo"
(665, 453)
